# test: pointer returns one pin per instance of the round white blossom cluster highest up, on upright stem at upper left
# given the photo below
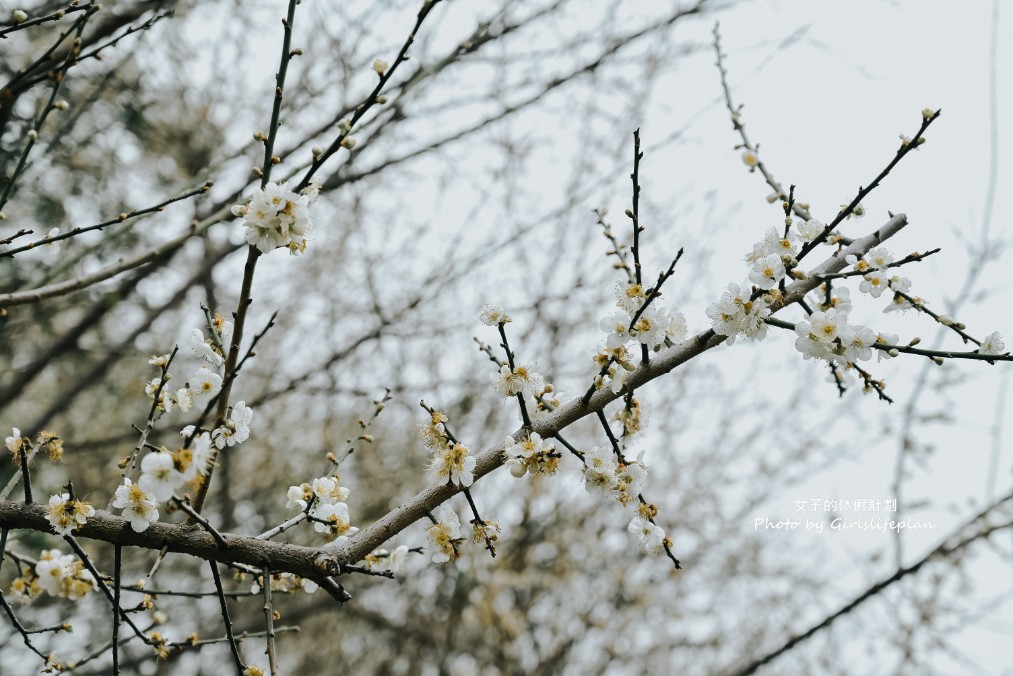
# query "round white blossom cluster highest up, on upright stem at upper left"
(276, 217)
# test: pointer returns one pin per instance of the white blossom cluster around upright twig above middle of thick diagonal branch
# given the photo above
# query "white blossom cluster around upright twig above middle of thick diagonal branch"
(640, 320)
